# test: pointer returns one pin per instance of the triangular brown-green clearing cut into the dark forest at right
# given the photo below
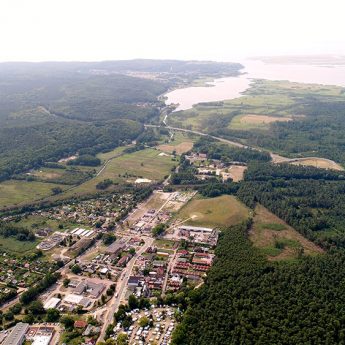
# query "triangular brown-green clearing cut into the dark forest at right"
(278, 240)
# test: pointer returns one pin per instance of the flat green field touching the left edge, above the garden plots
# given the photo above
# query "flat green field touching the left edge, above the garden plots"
(15, 192)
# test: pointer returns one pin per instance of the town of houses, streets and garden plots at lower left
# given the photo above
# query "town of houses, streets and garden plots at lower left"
(118, 262)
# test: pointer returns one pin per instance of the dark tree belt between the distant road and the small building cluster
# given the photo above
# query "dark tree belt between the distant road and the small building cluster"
(226, 153)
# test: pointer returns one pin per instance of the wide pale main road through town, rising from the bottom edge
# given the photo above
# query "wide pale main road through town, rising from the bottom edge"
(121, 288)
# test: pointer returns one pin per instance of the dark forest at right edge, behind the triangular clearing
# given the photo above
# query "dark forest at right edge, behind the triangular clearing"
(309, 199)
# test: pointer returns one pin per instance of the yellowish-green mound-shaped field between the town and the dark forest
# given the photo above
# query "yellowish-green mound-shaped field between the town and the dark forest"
(222, 211)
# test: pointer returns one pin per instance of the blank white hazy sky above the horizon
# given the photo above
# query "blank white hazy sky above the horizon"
(37, 30)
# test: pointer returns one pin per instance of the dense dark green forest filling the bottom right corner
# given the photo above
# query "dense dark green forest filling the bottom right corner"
(246, 300)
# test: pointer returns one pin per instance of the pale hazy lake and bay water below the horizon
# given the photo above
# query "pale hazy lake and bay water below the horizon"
(233, 87)
